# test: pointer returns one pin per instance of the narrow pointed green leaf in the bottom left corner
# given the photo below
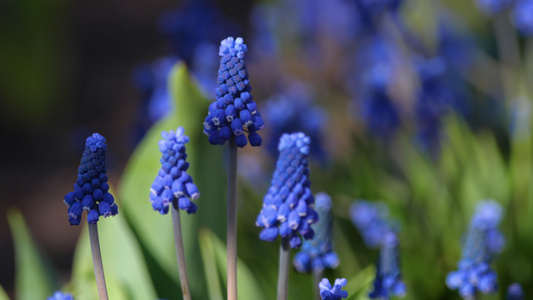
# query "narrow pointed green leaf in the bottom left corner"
(33, 278)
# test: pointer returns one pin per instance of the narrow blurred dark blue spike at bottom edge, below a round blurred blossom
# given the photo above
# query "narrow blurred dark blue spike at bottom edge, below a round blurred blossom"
(388, 281)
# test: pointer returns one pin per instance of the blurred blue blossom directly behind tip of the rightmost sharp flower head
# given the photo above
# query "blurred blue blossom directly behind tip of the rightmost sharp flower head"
(293, 111)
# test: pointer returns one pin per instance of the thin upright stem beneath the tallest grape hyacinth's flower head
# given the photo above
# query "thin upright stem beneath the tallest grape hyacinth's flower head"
(232, 220)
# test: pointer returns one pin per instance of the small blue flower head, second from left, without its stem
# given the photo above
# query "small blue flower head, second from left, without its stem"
(173, 184)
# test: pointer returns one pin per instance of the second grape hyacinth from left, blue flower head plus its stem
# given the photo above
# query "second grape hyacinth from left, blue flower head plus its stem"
(174, 188)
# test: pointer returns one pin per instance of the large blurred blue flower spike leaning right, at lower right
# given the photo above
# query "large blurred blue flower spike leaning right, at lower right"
(483, 241)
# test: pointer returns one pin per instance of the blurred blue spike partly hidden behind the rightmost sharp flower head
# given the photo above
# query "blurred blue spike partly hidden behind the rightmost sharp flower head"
(317, 254)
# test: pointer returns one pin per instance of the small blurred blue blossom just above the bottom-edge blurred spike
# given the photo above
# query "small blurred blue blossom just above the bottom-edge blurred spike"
(371, 221)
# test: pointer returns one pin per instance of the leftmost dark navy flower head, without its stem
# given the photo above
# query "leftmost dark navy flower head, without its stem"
(91, 191)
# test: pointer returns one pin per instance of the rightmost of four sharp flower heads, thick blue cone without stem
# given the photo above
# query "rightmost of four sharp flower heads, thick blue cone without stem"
(288, 205)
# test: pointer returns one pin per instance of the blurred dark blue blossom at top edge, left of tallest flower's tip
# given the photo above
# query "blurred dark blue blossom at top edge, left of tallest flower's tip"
(192, 24)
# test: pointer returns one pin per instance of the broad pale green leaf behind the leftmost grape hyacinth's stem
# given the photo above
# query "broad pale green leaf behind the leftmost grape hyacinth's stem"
(125, 271)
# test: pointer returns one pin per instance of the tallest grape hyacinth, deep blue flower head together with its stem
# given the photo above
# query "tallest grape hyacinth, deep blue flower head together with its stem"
(233, 115)
